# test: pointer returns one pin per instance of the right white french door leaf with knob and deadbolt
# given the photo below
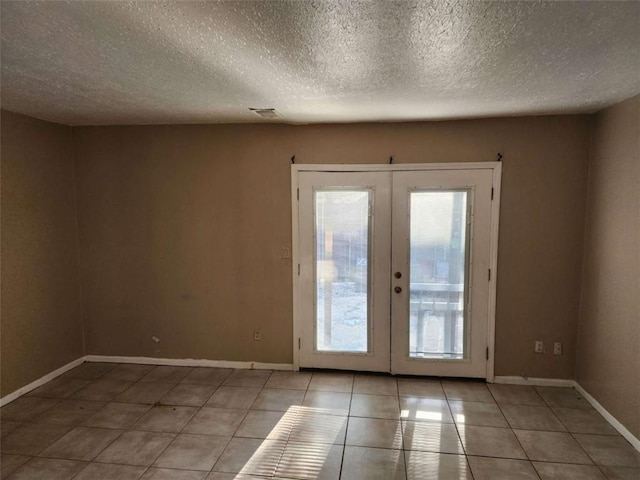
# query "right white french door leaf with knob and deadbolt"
(440, 258)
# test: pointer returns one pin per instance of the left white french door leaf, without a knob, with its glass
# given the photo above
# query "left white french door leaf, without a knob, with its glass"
(343, 284)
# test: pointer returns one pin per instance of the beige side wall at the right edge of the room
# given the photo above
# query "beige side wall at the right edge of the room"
(608, 358)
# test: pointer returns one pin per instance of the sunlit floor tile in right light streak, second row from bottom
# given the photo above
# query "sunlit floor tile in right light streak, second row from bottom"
(431, 437)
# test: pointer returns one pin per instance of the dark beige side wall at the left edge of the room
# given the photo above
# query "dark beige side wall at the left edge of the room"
(40, 322)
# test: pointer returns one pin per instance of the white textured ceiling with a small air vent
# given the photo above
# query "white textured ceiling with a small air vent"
(115, 62)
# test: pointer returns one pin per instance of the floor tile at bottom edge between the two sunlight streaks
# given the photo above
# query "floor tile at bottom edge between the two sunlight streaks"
(373, 464)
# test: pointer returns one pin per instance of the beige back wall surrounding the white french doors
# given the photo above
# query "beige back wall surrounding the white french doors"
(181, 229)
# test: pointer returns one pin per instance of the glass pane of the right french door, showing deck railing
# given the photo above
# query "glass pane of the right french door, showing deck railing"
(438, 262)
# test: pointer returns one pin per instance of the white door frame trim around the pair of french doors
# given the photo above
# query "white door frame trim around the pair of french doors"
(495, 167)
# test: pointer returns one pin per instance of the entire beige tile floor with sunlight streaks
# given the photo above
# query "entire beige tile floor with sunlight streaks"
(108, 421)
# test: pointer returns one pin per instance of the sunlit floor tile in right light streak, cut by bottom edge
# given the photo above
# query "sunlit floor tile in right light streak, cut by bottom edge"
(440, 466)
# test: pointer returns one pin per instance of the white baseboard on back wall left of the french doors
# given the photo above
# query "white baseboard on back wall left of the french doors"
(190, 362)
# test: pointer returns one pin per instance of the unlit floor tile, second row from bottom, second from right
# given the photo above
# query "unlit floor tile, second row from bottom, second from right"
(551, 447)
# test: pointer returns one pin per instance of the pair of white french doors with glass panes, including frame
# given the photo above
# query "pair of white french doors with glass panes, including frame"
(393, 268)
